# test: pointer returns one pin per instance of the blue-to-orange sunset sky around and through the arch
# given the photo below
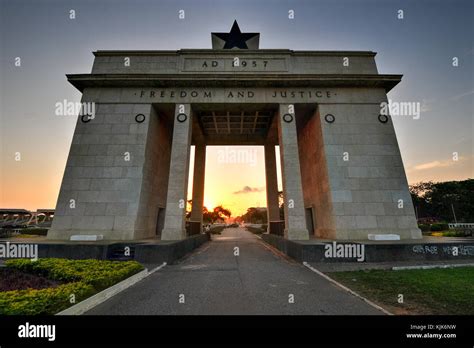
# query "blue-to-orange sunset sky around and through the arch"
(420, 46)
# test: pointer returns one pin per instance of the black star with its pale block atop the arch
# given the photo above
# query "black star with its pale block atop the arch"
(235, 39)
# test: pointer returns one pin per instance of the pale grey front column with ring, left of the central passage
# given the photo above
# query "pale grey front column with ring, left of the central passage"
(174, 228)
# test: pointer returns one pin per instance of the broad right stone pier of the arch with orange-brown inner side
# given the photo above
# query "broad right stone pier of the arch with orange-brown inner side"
(354, 175)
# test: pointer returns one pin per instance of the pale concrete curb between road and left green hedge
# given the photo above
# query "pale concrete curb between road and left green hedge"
(104, 295)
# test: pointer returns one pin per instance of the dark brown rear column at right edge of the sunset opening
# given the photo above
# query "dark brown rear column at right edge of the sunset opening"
(273, 211)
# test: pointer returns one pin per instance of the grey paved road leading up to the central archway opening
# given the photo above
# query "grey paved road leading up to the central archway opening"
(214, 281)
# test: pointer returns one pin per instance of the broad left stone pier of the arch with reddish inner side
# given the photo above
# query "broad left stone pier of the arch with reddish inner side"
(107, 180)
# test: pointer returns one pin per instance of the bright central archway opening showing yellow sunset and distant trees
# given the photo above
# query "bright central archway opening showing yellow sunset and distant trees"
(235, 188)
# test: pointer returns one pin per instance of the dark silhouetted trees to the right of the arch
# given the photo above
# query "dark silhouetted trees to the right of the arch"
(443, 200)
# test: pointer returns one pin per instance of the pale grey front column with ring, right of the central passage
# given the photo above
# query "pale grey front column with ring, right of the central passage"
(295, 222)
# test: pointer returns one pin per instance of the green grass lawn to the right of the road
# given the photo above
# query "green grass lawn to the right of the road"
(430, 291)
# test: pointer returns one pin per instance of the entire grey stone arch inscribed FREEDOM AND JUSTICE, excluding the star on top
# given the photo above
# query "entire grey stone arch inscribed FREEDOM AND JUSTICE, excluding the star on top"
(127, 180)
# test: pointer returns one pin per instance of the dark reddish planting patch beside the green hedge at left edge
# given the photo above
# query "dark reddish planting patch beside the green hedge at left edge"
(11, 279)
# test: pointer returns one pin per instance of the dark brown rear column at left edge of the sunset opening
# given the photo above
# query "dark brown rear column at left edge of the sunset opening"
(198, 188)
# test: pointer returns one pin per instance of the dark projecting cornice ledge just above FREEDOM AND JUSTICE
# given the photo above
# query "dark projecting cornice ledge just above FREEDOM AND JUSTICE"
(243, 80)
